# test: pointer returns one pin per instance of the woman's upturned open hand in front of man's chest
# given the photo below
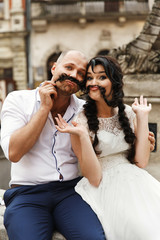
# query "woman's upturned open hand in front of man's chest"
(63, 127)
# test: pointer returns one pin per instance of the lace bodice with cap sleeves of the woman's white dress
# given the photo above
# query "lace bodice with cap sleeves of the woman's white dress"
(110, 134)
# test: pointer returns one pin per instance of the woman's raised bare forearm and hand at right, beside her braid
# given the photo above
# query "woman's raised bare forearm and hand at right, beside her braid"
(142, 131)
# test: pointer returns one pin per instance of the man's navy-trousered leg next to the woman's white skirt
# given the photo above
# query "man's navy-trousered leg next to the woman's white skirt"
(76, 220)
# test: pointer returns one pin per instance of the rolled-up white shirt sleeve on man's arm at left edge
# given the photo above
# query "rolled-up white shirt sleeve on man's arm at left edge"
(12, 118)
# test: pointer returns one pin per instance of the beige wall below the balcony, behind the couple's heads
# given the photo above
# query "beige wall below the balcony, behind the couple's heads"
(91, 39)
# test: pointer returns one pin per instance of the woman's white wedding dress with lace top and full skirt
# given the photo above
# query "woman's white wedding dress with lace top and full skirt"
(127, 201)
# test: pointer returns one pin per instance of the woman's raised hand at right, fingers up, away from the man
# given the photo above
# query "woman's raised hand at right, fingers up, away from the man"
(141, 106)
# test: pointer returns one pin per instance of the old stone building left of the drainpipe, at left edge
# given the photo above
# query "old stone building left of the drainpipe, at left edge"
(13, 65)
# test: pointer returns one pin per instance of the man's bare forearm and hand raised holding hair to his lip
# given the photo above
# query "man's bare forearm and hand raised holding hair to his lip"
(24, 138)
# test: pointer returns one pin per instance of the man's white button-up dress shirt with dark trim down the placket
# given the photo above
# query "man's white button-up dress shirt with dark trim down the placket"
(52, 155)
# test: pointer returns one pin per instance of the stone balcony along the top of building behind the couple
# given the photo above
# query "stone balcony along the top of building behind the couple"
(72, 10)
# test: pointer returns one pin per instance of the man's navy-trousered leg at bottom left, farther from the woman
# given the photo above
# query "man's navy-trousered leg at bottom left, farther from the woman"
(26, 216)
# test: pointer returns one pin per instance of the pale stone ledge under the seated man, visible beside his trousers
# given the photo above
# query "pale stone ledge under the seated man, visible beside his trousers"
(3, 234)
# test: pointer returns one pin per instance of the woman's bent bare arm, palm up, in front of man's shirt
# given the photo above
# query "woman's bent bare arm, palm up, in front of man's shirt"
(82, 147)
